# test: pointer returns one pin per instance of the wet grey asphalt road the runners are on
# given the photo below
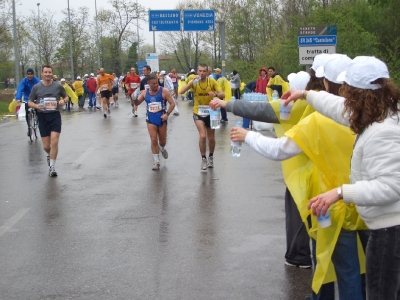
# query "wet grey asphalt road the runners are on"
(108, 227)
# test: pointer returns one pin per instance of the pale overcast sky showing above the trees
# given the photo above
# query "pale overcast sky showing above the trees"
(57, 6)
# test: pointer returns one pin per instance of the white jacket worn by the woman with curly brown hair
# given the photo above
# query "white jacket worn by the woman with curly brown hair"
(375, 164)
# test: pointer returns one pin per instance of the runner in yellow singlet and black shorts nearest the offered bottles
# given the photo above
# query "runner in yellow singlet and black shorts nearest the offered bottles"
(204, 91)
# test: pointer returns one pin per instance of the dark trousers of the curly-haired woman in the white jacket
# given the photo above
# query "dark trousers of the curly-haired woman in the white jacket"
(383, 264)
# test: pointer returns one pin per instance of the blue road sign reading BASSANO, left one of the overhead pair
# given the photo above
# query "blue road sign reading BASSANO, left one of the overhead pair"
(164, 20)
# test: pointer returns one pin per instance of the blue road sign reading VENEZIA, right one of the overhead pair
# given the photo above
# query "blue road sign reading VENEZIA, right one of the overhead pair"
(198, 20)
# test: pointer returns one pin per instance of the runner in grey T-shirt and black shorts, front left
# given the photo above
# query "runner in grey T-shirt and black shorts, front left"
(45, 98)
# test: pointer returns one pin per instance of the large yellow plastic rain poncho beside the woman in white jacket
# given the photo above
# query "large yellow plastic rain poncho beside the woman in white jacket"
(323, 165)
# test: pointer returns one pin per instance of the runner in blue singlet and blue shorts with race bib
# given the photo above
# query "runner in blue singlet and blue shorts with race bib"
(156, 116)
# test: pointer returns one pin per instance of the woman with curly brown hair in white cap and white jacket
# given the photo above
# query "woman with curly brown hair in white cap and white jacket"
(369, 105)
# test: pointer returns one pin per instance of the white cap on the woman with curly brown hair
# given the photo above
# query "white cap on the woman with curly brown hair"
(363, 70)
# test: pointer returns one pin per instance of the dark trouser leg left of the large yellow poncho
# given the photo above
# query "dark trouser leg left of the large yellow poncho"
(297, 239)
